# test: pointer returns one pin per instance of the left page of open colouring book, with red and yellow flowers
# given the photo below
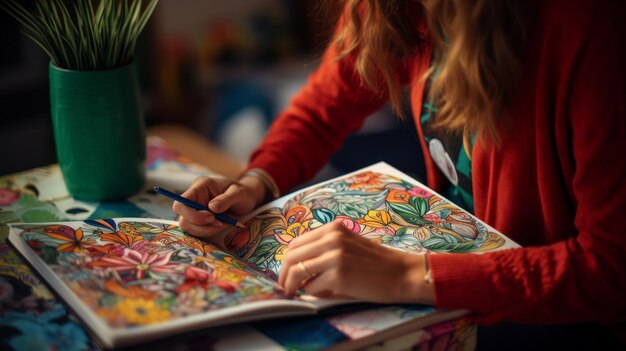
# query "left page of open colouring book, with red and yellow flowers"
(132, 272)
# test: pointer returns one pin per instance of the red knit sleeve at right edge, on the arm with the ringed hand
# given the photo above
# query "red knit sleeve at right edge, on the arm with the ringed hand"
(582, 276)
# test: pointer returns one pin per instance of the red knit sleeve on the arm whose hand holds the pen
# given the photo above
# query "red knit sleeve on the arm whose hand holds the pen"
(332, 104)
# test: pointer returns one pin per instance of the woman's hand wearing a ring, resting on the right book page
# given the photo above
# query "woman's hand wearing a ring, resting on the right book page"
(333, 261)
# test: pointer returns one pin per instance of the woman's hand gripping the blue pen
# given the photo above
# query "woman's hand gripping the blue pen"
(220, 195)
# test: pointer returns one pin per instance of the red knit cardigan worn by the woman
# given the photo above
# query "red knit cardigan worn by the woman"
(556, 184)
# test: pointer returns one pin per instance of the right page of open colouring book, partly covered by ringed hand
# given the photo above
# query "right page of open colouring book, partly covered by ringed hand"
(378, 203)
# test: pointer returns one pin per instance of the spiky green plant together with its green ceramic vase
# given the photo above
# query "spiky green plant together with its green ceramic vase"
(94, 96)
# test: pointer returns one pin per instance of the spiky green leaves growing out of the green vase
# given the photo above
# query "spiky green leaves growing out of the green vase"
(84, 35)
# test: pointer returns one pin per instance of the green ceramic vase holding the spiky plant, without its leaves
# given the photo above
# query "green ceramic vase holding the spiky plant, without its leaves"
(99, 132)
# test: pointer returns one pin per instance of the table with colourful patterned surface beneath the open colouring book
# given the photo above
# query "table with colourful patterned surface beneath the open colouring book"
(31, 318)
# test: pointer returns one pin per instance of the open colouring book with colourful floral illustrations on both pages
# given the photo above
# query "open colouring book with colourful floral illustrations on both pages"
(131, 280)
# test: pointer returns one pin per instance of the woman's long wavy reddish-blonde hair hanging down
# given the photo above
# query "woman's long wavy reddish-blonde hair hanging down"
(475, 61)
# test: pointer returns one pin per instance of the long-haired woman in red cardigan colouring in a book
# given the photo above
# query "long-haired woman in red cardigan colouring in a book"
(531, 96)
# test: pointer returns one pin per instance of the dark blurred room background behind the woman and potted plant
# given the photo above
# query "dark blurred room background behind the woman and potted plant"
(224, 68)
